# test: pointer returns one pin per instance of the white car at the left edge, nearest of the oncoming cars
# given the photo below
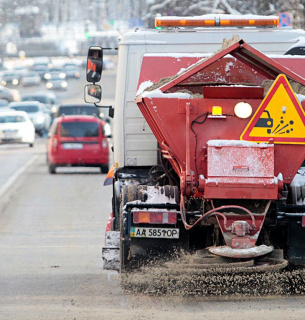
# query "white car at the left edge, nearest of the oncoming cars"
(16, 127)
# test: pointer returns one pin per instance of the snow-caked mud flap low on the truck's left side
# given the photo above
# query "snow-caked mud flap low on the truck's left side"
(111, 251)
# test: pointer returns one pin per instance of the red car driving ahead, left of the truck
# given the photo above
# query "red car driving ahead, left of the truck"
(77, 141)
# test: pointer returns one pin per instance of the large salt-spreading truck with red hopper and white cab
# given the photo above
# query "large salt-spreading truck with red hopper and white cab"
(209, 142)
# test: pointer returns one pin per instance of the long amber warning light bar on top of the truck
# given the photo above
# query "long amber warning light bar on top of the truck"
(215, 21)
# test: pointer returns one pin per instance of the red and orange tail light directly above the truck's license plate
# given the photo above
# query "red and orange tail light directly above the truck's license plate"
(155, 217)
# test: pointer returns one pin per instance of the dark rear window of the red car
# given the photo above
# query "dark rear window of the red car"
(79, 129)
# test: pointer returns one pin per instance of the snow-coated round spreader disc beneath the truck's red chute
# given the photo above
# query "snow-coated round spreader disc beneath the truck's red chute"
(226, 251)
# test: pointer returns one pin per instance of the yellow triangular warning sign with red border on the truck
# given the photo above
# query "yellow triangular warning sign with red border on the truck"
(280, 118)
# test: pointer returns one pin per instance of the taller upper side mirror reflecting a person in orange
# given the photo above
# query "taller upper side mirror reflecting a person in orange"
(94, 64)
